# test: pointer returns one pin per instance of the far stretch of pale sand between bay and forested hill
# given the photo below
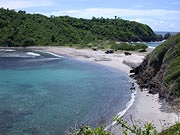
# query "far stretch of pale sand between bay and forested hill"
(115, 60)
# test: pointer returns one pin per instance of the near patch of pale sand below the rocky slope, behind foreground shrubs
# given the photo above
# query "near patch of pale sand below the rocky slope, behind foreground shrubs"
(148, 108)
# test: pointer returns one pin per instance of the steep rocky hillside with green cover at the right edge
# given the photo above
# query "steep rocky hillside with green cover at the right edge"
(160, 71)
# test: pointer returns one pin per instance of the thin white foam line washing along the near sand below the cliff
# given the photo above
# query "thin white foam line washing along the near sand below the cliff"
(128, 105)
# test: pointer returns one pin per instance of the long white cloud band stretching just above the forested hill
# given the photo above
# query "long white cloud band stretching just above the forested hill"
(111, 12)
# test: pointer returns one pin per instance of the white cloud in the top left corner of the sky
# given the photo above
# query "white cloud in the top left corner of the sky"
(18, 4)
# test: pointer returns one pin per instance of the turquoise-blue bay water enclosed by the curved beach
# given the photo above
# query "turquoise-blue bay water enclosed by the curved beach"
(46, 95)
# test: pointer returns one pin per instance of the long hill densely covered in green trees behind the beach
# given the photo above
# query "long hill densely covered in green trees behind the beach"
(22, 29)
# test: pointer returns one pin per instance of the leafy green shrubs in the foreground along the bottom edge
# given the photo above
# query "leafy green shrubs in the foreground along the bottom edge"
(126, 129)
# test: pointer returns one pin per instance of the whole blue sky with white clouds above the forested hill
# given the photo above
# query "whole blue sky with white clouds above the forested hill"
(160, 15)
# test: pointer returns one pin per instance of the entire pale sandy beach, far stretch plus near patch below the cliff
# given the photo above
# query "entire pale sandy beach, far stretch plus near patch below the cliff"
(146, 108)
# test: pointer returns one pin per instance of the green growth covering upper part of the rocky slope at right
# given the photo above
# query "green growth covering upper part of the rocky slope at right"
(171, 56)
